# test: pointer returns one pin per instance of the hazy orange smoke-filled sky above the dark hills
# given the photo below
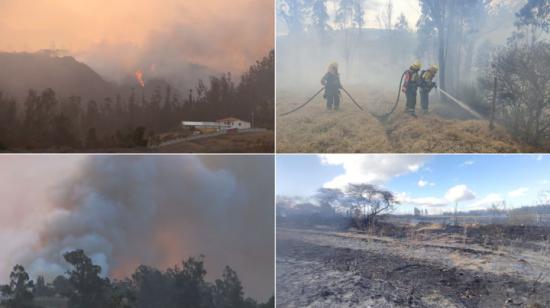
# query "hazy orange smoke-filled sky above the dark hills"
(220, 34)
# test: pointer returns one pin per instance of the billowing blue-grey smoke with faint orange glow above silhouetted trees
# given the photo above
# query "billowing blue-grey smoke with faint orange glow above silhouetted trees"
(130, 210)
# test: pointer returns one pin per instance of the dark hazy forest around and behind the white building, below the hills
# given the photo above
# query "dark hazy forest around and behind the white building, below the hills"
(47, 121)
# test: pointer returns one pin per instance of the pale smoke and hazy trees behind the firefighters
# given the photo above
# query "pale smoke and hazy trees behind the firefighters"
(472, 41)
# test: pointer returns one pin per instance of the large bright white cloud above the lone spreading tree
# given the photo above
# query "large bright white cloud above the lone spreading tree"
(373, 169)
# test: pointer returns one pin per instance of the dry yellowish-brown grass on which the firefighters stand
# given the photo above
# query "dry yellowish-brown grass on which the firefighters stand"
(446, 129)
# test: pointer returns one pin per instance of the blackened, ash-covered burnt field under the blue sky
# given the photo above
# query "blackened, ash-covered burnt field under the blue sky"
(425, 265)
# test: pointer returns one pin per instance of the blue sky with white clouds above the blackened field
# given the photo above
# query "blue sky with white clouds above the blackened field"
(433, 182)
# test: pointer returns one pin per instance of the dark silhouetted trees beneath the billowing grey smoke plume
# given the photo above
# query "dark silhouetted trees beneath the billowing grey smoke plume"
(83, 287)
